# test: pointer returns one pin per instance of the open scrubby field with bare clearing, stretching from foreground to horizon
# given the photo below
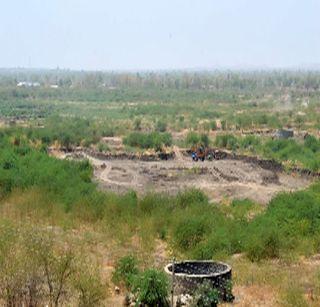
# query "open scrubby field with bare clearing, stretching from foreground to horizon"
(99, 169)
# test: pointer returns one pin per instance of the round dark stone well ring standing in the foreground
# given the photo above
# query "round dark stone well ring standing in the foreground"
(189, 274)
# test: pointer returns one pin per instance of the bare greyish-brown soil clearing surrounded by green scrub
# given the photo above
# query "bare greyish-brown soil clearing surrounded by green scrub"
(220, 179)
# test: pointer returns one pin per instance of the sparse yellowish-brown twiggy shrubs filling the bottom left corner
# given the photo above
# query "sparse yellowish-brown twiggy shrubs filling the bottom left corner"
(37, 270)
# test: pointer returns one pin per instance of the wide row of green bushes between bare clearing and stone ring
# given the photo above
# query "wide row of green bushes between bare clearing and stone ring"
(291, 218)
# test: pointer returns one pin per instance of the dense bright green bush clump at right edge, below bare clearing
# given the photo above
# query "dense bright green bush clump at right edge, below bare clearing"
(289, 219)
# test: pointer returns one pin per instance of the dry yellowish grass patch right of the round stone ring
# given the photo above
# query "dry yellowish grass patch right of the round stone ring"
(276, 283)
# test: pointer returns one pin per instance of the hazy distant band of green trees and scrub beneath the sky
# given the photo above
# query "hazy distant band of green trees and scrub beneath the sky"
(240, 100)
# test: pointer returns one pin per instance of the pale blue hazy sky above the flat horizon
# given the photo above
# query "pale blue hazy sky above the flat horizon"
(159, 34)
